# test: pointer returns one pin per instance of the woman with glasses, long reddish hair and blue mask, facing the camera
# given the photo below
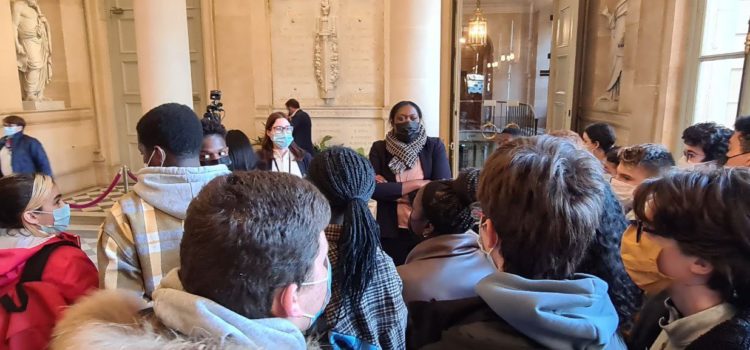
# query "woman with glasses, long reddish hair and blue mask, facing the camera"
(278, 151)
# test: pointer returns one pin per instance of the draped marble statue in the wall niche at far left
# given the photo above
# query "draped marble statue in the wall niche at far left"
(33, 48)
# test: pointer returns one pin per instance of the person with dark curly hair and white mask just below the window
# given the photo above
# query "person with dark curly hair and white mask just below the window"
(706, 144)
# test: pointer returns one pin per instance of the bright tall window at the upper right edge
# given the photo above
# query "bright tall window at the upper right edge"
(720, 60)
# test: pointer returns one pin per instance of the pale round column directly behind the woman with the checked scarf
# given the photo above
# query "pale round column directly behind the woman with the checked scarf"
(415, 58)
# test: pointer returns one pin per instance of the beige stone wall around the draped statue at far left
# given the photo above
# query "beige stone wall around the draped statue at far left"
(69, 135)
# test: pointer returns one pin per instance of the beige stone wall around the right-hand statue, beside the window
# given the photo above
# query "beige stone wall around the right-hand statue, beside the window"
(649, 104)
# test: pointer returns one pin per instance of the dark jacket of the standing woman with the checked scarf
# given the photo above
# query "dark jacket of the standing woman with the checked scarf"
(435, 166)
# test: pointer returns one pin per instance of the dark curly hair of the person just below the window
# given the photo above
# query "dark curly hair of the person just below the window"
(712, 138)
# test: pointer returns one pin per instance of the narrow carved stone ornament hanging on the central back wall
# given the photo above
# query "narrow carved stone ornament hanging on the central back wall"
(326, 55)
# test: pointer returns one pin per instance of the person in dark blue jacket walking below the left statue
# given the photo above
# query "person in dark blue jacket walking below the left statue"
(20, 153)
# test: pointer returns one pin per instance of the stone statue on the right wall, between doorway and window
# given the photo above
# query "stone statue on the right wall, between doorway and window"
(616, 26)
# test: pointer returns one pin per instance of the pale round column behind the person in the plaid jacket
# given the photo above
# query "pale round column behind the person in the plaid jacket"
(163, 46)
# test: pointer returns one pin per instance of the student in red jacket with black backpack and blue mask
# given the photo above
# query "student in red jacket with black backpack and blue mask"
(42, 269)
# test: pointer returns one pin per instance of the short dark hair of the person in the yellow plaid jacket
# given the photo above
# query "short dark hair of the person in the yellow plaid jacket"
(173, 127)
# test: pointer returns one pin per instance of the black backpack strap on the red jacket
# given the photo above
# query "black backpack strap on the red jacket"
(32, 272)
